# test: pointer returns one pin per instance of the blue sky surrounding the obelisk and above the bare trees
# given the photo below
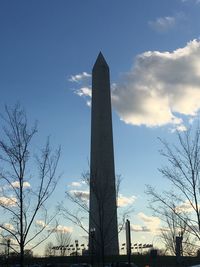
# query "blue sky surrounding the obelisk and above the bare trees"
(44, 44)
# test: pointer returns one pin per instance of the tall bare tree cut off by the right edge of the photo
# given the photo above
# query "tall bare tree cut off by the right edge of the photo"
(182, 171)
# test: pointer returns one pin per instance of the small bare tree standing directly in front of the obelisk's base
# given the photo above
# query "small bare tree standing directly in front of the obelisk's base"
(80, 215)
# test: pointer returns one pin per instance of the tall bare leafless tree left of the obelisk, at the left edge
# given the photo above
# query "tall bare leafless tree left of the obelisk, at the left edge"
(25, 189)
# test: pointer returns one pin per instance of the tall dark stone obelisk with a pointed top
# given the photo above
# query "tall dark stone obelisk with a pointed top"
(103, 239)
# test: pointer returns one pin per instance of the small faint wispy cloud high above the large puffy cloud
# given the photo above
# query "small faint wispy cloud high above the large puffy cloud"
(163, 24)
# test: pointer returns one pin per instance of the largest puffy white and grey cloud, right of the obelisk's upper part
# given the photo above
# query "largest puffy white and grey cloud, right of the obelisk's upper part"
(160, 87)
